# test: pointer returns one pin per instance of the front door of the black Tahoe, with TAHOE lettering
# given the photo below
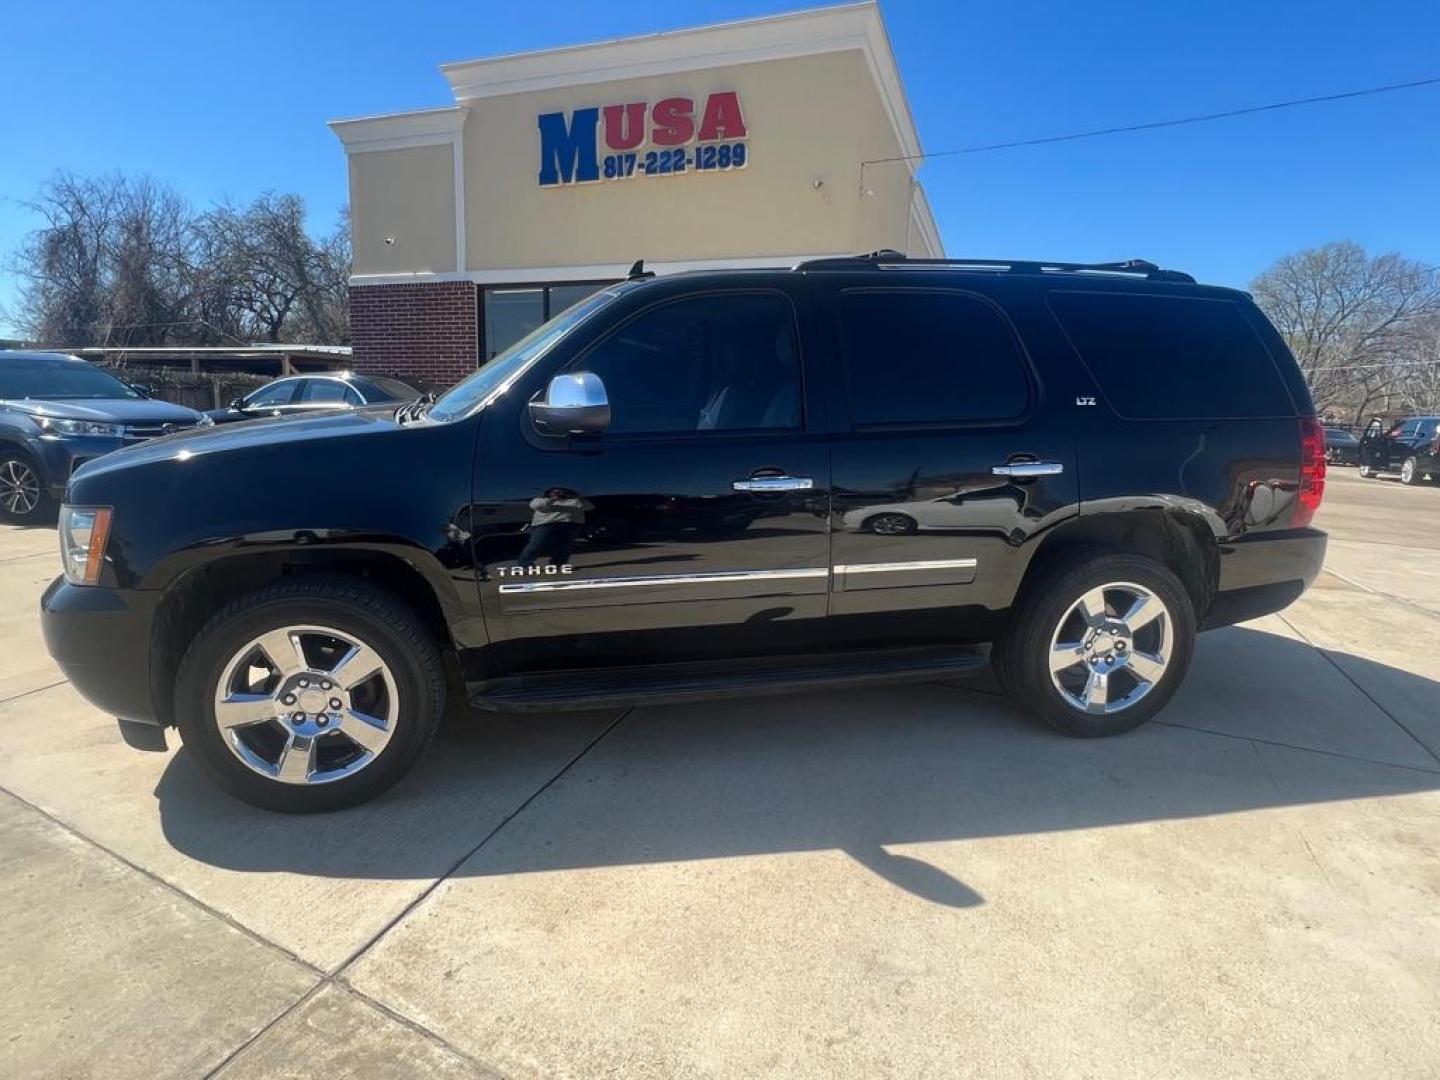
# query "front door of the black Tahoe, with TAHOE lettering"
(695, 526)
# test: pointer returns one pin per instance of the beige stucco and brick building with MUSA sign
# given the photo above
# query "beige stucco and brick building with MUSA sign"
(754, 143)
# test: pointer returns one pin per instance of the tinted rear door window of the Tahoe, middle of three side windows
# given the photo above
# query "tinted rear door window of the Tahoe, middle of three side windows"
(930, 358)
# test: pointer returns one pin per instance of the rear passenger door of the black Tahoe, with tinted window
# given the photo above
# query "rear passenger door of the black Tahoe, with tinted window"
(942, 469)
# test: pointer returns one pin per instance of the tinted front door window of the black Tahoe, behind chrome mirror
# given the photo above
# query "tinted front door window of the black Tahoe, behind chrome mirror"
(722, 362)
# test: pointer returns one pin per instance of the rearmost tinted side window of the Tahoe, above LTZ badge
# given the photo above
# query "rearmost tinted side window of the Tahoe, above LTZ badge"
(1173, 358)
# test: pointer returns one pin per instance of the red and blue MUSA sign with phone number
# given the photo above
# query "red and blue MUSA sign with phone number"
(623, 142)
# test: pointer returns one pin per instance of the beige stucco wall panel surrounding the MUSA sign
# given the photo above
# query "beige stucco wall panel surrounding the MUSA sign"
(810, 119)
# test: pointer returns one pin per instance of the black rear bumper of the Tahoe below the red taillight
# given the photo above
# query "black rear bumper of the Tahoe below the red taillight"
(1262, 574)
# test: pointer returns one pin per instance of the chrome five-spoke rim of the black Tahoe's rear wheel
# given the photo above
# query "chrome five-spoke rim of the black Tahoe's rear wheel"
(1111, 649)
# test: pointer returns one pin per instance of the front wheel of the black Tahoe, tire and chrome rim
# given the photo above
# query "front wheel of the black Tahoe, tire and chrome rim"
(335, 620)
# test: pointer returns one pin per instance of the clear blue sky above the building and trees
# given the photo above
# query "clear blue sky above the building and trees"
(231, 100)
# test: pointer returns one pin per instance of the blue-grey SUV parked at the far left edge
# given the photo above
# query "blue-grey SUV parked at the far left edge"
(57, 413)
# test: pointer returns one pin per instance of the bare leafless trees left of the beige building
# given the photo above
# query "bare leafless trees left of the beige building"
(123, 261)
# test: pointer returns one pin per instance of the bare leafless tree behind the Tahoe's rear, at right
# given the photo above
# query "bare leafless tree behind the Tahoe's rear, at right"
(1351, 320)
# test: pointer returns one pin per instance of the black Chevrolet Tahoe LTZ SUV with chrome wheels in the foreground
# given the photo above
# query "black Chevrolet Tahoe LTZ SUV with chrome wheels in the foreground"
(676, 490)
